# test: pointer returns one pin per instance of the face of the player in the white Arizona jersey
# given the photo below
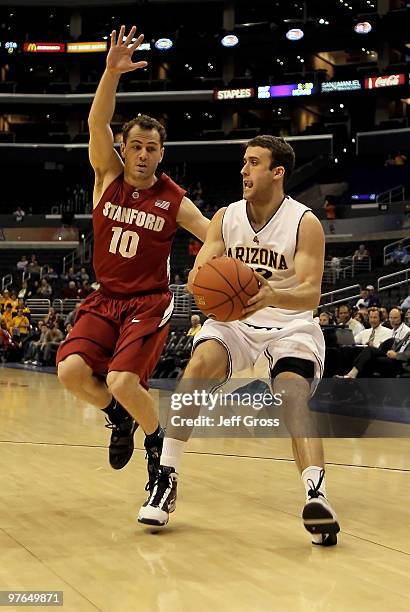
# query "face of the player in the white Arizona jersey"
(258, 178)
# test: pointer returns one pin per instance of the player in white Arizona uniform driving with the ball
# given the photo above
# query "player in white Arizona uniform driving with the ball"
(284, 242)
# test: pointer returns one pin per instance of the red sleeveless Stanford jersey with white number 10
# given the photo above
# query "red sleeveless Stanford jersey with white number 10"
(133, 234)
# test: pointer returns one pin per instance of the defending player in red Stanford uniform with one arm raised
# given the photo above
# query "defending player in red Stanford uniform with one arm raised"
(121, 328)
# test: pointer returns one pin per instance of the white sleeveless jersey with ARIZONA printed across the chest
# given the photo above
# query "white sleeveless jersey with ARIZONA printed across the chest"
(270, 251)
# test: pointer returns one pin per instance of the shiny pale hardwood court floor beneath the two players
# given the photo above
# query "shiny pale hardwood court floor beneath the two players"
(235, 542)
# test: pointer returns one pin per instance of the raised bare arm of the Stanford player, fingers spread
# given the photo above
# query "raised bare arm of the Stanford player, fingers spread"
(106, 162)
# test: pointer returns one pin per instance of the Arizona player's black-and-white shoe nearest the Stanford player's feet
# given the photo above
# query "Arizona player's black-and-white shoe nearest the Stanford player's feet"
(162, 500)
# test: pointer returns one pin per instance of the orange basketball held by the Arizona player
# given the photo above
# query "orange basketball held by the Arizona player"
(222, 288)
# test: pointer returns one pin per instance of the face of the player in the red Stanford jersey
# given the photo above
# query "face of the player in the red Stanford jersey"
(142, 153)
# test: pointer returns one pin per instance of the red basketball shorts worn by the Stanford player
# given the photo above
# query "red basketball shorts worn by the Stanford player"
(121, 335)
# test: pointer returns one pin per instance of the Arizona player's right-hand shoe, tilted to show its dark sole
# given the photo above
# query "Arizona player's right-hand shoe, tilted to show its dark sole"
(318, 516)
